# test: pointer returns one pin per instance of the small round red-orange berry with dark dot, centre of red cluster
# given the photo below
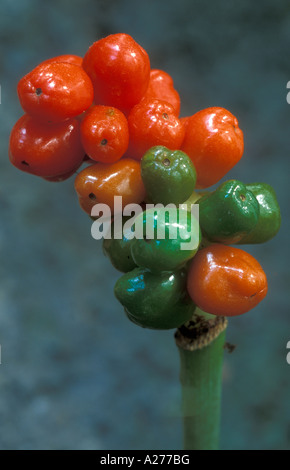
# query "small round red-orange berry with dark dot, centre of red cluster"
(105, 134)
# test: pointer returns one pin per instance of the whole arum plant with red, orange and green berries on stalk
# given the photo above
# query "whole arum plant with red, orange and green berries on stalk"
(114, 123)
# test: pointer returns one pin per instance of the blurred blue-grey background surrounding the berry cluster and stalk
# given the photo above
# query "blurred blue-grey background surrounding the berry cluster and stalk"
(75, 374)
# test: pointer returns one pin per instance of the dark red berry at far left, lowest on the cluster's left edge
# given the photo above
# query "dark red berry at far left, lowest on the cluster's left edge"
(47, 150)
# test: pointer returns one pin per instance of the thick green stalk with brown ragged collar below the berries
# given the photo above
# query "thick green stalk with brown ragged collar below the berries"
(201, 345)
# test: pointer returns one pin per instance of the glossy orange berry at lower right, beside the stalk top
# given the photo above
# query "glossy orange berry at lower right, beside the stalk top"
(226, 281)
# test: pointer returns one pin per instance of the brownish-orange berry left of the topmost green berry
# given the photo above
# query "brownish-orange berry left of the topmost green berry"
(99, 183)
